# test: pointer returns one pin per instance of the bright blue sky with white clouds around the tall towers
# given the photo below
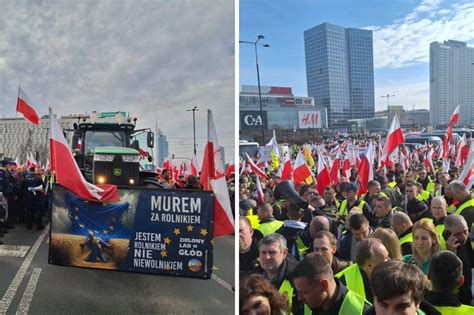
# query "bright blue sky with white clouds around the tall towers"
(402, 30)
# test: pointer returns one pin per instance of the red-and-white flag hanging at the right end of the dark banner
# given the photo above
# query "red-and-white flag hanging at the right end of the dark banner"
(213, 178)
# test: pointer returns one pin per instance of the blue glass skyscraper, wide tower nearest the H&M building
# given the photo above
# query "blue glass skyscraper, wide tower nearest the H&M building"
(340, 71)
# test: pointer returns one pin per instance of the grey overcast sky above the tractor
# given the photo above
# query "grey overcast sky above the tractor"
(152, 58)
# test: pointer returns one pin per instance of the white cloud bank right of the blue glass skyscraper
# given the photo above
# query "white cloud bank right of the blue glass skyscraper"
(406, 42)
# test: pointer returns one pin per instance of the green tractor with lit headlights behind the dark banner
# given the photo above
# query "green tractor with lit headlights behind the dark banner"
(107, 151)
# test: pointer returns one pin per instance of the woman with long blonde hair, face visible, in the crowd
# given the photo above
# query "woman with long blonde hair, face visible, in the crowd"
(425, 244)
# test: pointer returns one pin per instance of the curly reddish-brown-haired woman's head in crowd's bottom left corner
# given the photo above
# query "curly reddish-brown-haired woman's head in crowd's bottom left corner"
(258, 296)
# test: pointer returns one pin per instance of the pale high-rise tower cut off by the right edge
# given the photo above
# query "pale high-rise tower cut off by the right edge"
(451, 82)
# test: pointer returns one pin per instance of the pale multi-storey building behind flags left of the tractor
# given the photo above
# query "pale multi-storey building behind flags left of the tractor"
(19, 136)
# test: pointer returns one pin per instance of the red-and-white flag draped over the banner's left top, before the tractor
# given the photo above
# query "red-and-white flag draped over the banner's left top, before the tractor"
(68, 174)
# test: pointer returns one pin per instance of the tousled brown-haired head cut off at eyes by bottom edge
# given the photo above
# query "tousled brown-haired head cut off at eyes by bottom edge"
(398, 289)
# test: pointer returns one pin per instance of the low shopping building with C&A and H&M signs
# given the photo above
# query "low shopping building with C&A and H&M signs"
(280, 108)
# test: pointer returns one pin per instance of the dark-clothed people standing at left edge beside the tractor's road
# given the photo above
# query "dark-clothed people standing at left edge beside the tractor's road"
(25, 196)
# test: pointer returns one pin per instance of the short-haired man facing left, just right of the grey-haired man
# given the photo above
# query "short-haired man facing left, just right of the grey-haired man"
(325, 243)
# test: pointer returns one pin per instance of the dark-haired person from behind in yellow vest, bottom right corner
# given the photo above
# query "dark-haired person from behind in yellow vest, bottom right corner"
(446, 278)
